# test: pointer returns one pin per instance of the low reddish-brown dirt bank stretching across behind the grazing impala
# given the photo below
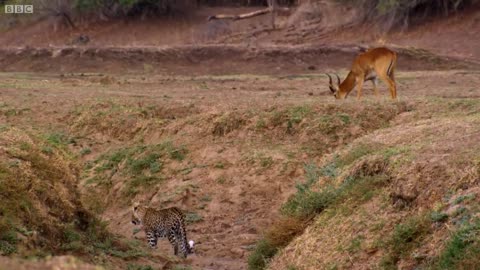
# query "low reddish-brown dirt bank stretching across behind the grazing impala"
(209, 59)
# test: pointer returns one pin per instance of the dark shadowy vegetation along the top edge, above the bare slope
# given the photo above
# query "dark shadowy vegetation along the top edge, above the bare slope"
(393, 13)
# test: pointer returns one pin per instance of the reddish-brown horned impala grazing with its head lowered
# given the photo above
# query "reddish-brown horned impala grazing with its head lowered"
(367, 66)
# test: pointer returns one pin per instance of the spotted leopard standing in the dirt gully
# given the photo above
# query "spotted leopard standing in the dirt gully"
(163, 223)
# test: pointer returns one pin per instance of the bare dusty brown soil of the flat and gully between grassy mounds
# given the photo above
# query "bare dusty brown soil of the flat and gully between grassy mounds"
(237, 199)
